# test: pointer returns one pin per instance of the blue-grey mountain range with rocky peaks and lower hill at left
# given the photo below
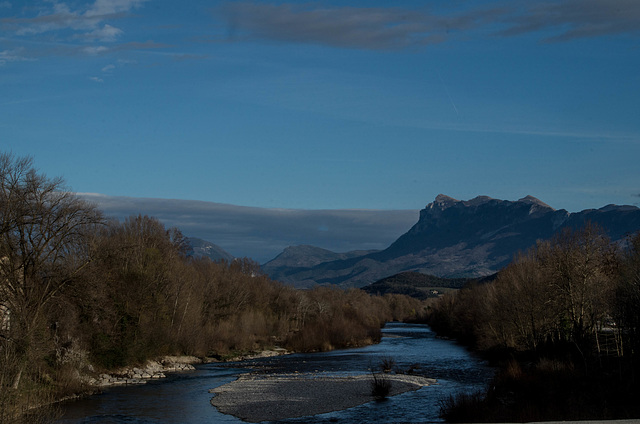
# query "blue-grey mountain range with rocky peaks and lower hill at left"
(453, 239)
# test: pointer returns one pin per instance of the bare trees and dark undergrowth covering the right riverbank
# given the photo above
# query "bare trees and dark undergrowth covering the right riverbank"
(563, 319)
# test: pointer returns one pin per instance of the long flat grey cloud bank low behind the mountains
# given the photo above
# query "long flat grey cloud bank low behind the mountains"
(262, 233)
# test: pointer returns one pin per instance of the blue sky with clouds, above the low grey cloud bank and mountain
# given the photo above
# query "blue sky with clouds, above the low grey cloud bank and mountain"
(333, 106)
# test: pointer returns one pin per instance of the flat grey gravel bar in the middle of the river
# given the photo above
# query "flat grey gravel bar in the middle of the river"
(272, 397)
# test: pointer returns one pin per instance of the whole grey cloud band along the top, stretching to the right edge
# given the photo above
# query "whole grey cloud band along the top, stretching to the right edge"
(377, 28)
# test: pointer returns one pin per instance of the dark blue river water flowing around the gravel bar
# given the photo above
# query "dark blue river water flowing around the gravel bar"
(184, 398)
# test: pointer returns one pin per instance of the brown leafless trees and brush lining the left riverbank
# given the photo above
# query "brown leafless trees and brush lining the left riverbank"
(81, 295)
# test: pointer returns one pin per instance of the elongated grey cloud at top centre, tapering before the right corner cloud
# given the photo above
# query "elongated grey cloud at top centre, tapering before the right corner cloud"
(351, 27)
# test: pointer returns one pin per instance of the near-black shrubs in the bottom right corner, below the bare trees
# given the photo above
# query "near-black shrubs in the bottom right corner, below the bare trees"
(549, 390)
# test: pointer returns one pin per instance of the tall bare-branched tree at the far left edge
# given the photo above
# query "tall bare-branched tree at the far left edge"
(43, 229)
